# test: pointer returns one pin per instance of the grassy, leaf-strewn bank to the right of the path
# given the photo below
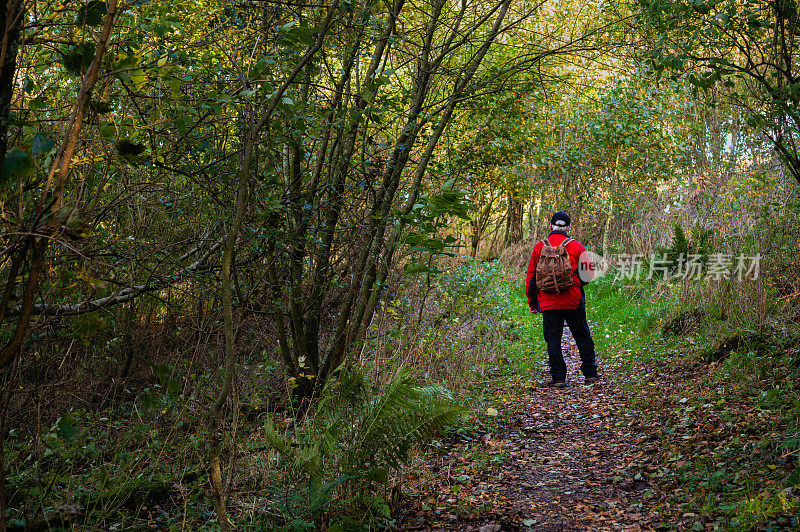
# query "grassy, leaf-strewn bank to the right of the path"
(720, 390)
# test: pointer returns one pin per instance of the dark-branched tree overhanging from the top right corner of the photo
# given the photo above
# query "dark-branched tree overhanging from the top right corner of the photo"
(751, 48)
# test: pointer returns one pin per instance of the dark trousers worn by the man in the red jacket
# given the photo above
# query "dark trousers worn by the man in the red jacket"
(553, 325)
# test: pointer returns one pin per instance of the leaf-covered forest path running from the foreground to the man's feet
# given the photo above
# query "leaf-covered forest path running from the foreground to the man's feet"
(558, 459)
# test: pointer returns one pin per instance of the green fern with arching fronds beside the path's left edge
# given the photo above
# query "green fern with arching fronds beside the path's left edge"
(357, 434)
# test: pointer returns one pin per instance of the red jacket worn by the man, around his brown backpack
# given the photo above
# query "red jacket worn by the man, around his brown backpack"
(572, 298)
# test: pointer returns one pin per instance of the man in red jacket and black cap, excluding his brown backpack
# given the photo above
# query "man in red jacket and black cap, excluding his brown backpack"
(567, 305)
